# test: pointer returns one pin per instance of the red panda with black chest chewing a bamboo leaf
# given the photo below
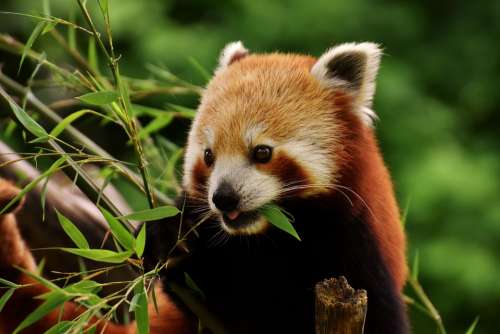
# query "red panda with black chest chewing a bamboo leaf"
(295, 131)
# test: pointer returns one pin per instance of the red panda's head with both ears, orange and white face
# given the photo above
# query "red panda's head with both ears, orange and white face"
(274, 126)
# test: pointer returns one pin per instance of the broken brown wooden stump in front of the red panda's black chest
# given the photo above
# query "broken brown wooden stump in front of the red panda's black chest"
(339, 308)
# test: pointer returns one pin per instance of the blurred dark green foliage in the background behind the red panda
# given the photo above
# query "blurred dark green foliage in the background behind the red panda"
(437, 99)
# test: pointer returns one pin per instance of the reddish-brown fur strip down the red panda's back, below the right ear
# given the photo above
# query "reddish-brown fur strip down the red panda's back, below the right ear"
(370, 185)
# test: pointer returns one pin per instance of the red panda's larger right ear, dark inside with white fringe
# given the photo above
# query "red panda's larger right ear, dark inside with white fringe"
(352, 67)
